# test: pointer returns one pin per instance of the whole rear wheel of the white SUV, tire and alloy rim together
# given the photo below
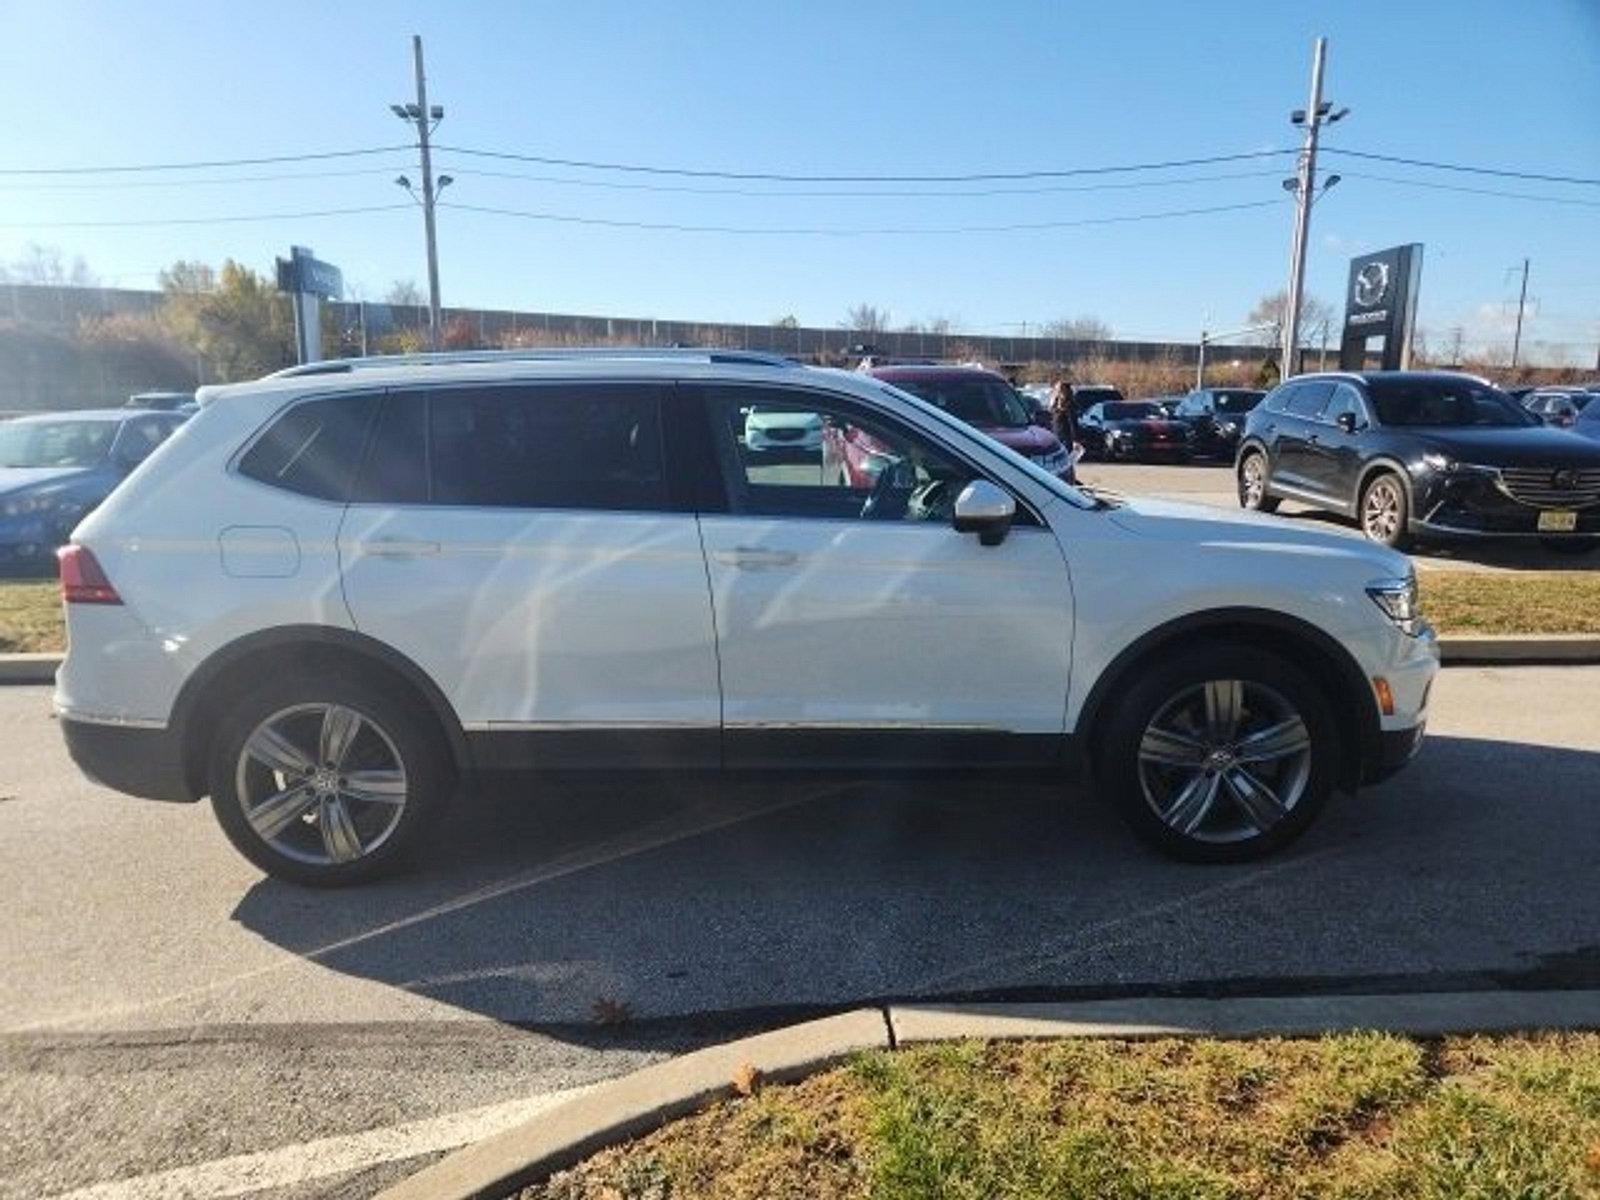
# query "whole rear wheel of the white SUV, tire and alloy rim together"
(327, 780)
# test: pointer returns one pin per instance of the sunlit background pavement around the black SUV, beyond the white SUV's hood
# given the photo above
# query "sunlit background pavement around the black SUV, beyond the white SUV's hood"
(1214, 484)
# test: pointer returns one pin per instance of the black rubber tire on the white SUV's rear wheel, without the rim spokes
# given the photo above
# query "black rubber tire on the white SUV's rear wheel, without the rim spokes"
(390, 727)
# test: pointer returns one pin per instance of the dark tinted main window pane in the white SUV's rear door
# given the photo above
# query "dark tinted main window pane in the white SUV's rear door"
(559, 447)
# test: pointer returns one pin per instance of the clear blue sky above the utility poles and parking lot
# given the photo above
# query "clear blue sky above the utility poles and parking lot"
(828, 89)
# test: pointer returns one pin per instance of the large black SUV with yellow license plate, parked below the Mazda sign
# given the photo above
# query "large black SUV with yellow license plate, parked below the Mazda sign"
(1420, 455)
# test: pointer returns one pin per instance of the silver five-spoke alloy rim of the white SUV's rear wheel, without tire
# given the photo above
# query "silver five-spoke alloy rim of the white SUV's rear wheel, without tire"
(322, 785)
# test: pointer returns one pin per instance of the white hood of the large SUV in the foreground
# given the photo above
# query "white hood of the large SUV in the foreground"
(1206, 527)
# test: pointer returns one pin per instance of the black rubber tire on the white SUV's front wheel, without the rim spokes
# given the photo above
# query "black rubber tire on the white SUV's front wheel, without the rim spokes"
(1270, 690)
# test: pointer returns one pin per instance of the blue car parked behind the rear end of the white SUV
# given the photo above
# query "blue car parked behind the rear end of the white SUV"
(58, 466)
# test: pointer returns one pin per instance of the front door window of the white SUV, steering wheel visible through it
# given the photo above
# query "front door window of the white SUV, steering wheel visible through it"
(863, 466)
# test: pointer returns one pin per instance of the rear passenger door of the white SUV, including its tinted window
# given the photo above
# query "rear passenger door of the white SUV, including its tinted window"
(519, 543)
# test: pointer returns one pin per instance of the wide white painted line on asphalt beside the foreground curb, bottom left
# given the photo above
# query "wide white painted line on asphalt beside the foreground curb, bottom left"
(324, 1158)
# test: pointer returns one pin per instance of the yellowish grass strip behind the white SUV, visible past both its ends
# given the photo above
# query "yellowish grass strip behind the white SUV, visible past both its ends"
(1457, 602)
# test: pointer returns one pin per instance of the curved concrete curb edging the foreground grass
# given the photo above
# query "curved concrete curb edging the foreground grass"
(639, 1103)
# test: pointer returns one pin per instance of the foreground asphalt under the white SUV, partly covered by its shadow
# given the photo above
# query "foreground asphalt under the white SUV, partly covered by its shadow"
(175, 1023)
